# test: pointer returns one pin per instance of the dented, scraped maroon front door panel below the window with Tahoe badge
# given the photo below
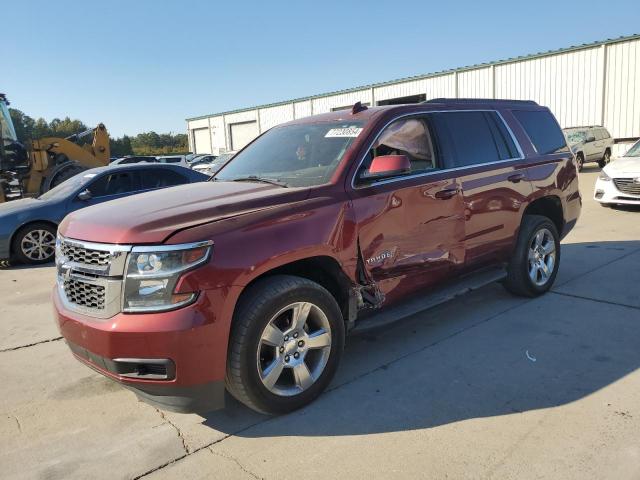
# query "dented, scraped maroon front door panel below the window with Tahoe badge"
(409, 238)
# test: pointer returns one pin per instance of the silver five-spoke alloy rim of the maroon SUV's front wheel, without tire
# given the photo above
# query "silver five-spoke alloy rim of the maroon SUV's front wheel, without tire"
(294, 349)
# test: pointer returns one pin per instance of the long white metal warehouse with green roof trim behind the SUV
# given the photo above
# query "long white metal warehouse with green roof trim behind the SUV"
(591, 84)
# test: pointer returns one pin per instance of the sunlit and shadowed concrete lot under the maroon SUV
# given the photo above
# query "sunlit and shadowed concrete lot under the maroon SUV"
(487, 386)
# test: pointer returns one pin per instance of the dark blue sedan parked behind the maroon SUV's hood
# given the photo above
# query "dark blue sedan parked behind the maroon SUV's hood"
(28, 226)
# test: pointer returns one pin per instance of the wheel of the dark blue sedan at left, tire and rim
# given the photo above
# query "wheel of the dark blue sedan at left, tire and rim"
(35, 243)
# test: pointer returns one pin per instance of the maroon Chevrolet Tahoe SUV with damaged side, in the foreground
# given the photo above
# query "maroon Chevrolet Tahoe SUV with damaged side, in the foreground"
(320, 226)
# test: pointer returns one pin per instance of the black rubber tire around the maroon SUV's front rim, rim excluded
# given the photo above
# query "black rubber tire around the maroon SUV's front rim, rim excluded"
(255, 310)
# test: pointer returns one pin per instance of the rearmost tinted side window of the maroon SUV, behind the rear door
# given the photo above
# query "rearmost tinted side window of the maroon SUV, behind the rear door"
(543, 131)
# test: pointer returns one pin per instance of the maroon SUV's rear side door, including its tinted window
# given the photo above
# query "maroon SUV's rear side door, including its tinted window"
(492, 174)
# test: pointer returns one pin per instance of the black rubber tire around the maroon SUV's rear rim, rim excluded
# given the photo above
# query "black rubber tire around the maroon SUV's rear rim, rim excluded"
(518, 280)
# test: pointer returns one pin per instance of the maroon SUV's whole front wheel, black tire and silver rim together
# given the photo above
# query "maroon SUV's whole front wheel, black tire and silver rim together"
(286, 342)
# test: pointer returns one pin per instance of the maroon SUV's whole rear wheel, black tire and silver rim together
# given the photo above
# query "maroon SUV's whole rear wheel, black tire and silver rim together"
(534, 264)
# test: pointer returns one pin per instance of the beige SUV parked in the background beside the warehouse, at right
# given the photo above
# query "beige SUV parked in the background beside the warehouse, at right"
(590, 144)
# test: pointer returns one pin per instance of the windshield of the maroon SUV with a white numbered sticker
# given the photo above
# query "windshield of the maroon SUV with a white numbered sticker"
(301, 155)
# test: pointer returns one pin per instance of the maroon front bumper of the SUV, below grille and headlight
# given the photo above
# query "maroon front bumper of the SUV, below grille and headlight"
(190, 343)
